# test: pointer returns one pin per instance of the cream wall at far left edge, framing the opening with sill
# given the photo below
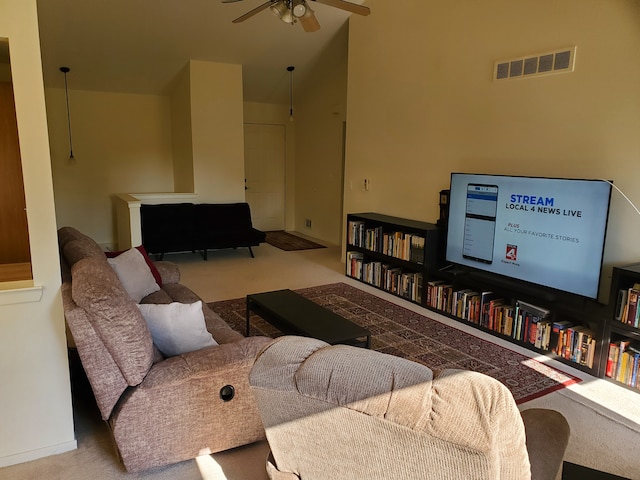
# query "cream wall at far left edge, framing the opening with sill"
(35, 404)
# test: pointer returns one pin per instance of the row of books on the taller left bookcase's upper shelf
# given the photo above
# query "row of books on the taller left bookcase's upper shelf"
(402, 245)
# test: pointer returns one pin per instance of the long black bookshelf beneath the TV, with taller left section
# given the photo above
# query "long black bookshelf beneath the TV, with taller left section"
(580, 321)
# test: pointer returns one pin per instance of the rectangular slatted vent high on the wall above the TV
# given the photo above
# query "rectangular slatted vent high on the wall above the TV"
(548, 63)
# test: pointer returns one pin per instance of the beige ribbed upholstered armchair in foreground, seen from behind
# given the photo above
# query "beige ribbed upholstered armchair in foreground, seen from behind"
(343, 412)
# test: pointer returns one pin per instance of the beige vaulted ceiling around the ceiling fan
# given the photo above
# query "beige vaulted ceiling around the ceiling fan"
(139, 46)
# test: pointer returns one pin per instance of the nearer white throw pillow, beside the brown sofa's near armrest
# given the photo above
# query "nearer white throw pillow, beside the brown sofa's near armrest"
(177, 328)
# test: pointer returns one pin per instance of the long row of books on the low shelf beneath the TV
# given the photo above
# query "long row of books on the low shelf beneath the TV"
(519, 320)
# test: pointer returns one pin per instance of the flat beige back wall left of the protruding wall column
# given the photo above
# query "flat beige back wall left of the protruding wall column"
(121, 143)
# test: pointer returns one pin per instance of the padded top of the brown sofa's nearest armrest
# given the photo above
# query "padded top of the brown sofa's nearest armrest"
(212, 361)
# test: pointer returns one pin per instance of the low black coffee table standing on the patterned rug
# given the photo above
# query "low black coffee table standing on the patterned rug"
(293, 314)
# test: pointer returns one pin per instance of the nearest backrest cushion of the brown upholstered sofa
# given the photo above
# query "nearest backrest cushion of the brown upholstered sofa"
(115, 317)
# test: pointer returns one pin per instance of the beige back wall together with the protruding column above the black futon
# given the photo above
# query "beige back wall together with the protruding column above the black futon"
(191, 140)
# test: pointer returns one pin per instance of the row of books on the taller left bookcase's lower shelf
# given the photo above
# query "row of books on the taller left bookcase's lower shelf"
(408, 285)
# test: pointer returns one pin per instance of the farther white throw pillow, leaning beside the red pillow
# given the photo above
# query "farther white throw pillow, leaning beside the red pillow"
(134, 274)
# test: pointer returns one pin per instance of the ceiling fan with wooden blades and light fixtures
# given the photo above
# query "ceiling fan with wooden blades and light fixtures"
(292, 11)
